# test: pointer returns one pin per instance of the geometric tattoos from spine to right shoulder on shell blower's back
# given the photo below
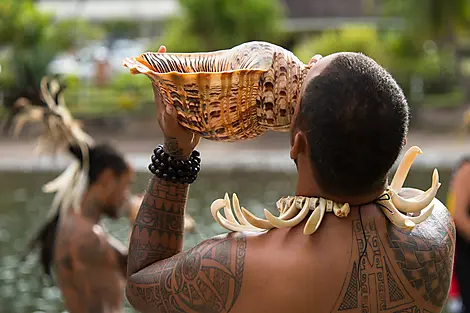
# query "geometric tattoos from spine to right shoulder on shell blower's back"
(397, 270)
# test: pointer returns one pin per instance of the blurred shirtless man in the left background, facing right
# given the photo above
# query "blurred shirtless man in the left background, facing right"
(90, 264)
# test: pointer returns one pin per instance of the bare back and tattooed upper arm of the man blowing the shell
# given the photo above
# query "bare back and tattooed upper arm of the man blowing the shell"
(328, 272)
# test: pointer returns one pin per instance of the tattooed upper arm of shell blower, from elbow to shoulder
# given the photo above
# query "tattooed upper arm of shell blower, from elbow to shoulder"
(207, 278)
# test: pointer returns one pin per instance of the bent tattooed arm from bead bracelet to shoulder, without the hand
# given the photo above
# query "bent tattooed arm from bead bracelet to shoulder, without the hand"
(162, 278)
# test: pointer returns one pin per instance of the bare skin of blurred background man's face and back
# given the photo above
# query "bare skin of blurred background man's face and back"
(90, 264)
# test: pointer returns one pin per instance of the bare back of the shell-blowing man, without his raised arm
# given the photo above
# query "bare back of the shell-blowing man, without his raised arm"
(398, 272)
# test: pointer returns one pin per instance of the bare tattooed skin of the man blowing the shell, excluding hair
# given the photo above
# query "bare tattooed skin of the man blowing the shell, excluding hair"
(283, 270)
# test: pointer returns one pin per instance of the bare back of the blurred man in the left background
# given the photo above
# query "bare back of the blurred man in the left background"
(89, 273)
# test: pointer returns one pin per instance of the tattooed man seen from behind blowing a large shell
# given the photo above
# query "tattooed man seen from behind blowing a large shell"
(348, 130)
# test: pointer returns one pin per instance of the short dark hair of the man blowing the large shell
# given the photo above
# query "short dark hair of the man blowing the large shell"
(355, 117)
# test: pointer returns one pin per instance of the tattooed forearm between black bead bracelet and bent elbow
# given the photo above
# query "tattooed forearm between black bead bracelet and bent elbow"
(159, 225)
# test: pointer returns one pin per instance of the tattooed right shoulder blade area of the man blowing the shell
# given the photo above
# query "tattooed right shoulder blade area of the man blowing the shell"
(425, 255)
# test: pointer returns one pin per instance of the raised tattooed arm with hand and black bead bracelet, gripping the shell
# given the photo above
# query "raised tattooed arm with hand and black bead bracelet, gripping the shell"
(162, 278)
